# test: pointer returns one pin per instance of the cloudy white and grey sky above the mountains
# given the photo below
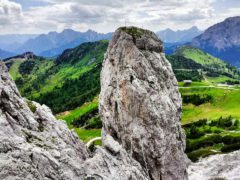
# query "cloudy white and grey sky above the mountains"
(42, 16)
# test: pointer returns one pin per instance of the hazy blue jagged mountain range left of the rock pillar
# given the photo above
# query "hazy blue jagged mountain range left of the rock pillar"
(53, 43)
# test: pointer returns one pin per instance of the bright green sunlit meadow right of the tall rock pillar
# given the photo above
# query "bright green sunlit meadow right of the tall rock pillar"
(225, 102)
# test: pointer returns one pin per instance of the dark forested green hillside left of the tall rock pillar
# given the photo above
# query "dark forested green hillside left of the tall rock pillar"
(62, 84)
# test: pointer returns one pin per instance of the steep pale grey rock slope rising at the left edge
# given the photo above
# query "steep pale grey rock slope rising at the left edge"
(34, 145)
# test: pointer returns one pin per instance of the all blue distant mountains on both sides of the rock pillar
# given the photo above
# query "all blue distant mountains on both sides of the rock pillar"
(221, 40)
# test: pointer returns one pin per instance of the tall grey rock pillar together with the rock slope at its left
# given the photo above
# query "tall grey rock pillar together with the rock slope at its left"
(140, 107)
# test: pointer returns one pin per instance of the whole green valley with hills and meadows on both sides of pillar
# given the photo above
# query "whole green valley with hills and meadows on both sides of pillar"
(70, 85)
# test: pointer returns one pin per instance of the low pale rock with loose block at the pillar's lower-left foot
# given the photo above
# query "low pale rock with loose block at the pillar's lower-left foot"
(114, 163)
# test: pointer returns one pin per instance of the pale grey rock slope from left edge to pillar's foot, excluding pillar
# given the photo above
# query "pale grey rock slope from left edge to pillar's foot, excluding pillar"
(34, 145)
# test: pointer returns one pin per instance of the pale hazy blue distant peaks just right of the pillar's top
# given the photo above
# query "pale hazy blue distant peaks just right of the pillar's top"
(179, 36)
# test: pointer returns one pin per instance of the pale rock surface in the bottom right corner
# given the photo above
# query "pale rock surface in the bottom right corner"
(221, 166)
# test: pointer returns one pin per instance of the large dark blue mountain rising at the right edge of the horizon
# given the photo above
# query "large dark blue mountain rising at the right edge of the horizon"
(222, 40)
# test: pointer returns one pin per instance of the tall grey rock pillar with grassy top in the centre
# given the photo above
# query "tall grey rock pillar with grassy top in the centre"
(140, 104)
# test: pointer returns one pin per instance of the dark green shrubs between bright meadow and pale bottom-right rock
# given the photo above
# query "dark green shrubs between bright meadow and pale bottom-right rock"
(212, 137)
